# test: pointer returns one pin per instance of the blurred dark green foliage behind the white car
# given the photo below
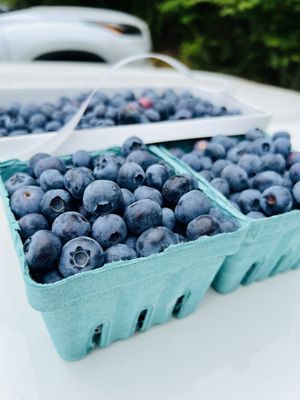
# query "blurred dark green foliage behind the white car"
(257, 39)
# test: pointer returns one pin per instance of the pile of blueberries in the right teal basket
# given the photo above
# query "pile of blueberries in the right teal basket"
(260, 175)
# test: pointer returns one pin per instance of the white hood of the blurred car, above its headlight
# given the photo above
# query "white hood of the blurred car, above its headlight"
(73, 14)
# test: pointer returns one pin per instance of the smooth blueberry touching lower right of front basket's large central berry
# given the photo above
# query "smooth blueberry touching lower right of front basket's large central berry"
(142, 215)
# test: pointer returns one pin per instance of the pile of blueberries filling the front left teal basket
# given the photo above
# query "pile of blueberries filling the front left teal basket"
(78, 215)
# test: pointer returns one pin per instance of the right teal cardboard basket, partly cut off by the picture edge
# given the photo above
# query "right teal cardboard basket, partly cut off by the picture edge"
(270, 246)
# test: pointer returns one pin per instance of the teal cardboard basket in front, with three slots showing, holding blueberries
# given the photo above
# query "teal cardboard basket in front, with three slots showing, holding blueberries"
(100, 306)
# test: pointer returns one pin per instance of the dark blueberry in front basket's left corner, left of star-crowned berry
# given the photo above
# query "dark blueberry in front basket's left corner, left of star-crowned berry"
(42, 251)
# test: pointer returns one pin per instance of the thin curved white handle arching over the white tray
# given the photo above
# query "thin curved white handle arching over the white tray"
(63, 134)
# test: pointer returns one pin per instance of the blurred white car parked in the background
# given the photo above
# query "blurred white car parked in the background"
(71, 34)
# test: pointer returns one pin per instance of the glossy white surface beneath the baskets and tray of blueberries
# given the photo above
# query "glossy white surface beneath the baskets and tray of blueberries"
(245, 345)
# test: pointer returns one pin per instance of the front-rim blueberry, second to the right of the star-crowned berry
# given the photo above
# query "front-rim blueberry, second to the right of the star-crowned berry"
(155, 240)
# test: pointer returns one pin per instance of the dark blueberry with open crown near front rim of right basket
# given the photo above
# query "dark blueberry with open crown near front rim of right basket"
(276, 200)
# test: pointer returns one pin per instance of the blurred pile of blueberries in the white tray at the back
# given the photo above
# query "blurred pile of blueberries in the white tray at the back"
(103, 111)
